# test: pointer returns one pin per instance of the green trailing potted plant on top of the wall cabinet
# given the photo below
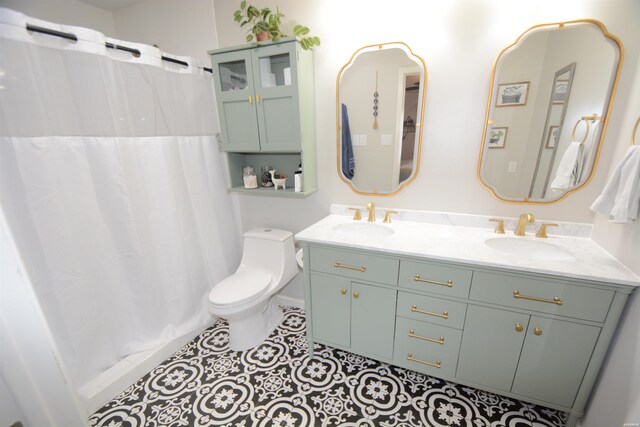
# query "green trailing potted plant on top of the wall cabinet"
(267, 25)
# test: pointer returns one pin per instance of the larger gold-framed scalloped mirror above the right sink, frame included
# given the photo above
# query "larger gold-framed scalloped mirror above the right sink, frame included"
(548, 107)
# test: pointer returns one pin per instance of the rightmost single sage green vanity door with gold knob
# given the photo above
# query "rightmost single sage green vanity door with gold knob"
(554, 359)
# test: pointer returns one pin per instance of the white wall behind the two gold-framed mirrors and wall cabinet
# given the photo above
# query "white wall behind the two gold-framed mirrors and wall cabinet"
(459, 41)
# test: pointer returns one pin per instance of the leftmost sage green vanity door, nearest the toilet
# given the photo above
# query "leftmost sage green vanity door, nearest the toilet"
(330, 309)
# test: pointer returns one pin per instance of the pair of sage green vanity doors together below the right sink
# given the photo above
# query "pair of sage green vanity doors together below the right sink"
(531, 356)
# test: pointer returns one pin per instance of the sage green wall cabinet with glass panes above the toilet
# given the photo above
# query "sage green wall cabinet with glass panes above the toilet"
(266, 108)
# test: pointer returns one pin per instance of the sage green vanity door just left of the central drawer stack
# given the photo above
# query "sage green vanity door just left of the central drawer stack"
(373, 315)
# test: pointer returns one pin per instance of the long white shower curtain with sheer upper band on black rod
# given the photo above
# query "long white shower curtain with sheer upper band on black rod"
(113, 187)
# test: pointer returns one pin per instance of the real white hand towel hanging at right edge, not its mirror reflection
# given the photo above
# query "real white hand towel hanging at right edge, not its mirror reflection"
(620, 199)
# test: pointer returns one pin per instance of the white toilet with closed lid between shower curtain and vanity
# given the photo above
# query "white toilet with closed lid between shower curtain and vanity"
(245, 298)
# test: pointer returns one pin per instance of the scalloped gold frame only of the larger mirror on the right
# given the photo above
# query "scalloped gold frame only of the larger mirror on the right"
(605, 118)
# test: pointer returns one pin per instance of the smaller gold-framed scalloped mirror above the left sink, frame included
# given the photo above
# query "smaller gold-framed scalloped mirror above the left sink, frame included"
(380, 98)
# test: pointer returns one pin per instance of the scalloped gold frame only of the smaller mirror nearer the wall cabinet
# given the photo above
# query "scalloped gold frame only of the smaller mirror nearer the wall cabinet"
(419, 124)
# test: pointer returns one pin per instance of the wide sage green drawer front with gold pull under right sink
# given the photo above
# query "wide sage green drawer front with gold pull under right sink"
(545, 296)
